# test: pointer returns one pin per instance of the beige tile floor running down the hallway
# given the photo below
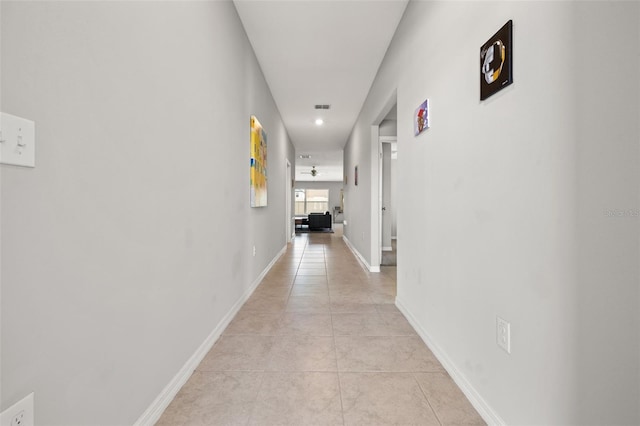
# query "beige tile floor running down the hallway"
(320, 342)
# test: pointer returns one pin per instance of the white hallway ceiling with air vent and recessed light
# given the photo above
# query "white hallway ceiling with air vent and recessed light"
(320, 52)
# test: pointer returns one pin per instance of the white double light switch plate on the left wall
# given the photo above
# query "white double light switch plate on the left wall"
(17, 141)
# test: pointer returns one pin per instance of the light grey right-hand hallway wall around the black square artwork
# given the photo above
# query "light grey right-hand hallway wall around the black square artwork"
(513, 194)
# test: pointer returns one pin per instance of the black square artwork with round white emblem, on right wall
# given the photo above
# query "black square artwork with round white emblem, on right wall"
(496, 62)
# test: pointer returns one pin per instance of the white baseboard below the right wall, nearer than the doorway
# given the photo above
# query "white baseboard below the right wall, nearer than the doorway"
(487, 413)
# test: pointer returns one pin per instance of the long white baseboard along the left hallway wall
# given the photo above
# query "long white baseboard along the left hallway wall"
(157, 407)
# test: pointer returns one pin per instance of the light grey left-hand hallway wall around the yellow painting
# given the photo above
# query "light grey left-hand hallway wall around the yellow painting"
(131, 239)
